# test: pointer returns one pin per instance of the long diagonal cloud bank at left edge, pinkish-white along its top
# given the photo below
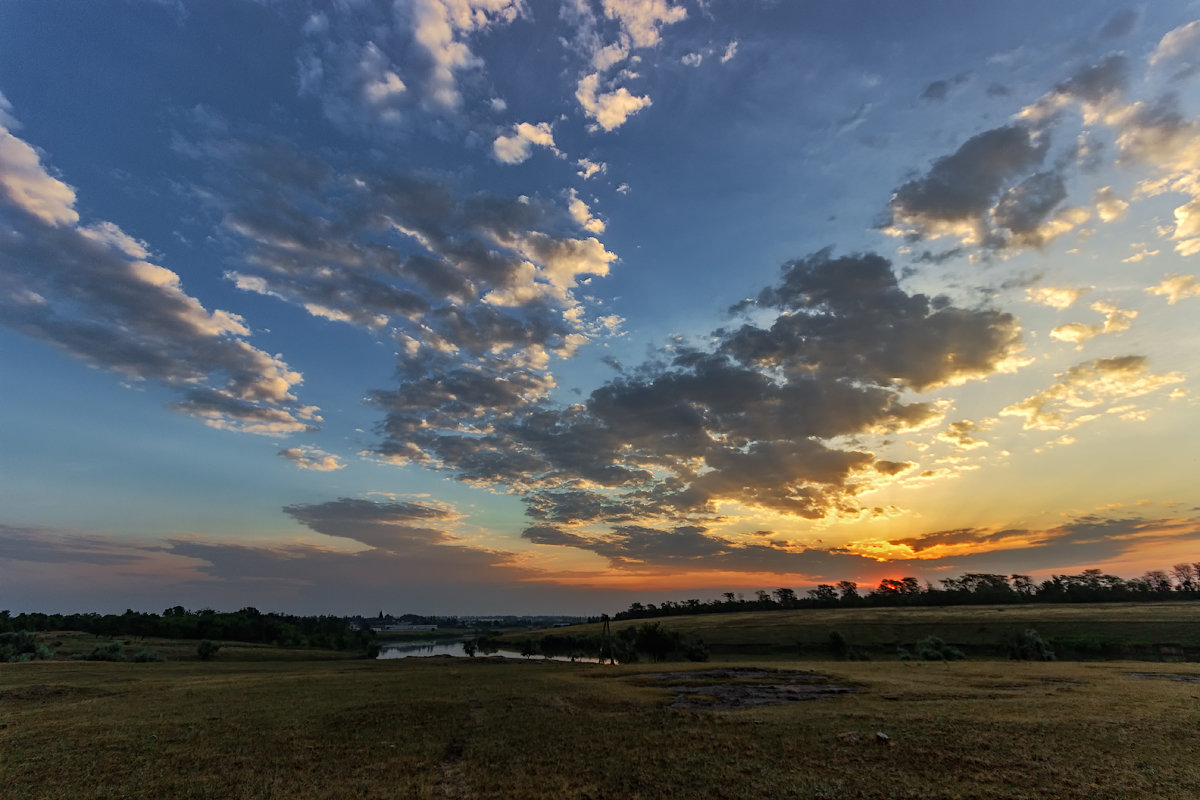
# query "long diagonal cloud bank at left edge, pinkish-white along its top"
(127, 314)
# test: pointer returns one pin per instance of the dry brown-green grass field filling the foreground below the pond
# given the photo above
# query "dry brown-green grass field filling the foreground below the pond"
(487, 729)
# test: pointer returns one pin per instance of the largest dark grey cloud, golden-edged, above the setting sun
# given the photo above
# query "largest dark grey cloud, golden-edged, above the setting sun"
(751, 419)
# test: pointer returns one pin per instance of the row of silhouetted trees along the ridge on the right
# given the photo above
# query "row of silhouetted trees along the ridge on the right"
(1183, 582)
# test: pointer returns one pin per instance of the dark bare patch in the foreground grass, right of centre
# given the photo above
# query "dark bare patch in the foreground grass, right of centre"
(733, 689)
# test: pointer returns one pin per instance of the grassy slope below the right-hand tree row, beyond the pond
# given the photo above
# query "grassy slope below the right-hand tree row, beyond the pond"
(1082, 631)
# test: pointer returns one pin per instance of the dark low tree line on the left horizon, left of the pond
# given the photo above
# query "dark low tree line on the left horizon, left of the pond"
(178, 623)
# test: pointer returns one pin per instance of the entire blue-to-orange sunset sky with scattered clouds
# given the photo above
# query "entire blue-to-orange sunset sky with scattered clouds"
(518, 306)
